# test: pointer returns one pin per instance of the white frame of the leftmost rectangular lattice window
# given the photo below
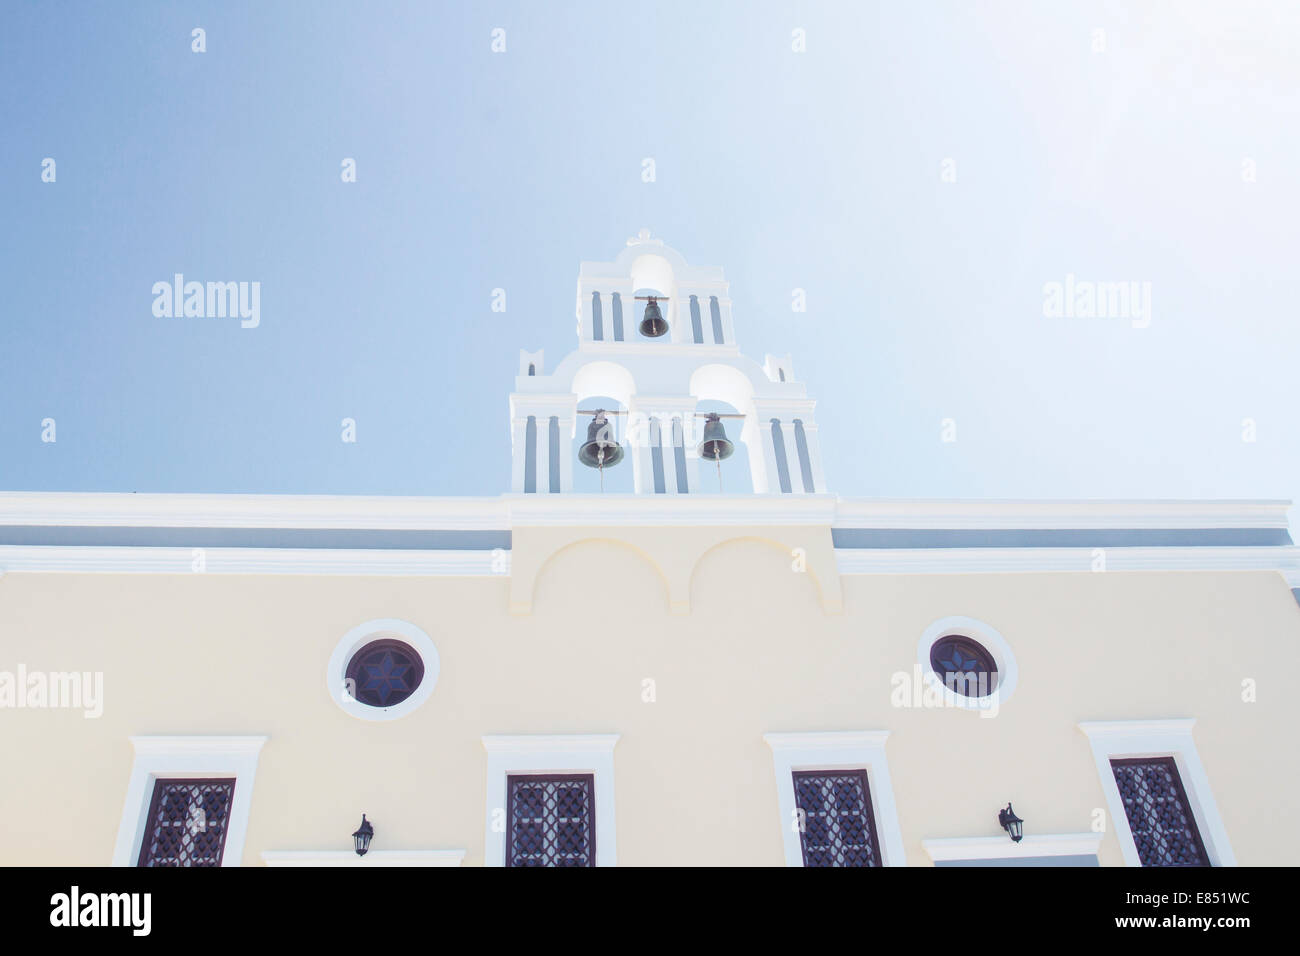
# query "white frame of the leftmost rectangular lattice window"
(188, 758)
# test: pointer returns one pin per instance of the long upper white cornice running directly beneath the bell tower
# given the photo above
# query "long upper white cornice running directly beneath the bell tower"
(410, 513)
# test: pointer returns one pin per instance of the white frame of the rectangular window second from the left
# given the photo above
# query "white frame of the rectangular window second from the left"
(551, 754)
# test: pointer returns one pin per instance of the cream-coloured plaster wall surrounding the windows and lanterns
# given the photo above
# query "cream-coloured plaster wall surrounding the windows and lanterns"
(757, 654)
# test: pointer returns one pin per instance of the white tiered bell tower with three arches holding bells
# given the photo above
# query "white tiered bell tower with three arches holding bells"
(658, 384)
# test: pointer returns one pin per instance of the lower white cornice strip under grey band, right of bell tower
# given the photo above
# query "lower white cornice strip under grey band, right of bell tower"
(1028, 560)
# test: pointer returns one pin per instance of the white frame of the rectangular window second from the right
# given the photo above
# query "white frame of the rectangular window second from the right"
(838, 751)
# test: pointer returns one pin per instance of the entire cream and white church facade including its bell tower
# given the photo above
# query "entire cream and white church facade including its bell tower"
(668, 644)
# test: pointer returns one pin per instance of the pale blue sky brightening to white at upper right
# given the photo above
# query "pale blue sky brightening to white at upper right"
(820, 171)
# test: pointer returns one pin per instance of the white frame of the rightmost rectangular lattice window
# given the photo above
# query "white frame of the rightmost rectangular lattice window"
(1173, 738)
